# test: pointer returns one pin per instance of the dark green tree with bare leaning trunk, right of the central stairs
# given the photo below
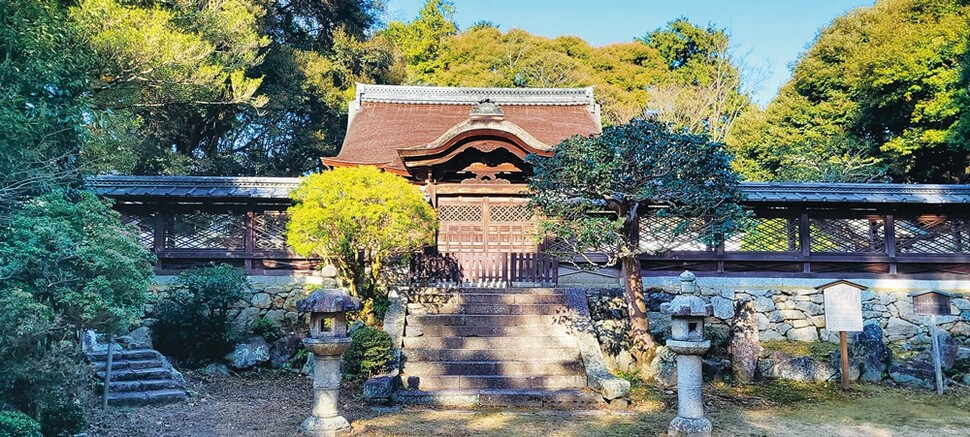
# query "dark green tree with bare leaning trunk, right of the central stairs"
(600, 193)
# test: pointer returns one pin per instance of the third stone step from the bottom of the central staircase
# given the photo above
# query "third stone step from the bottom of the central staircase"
(495, 368)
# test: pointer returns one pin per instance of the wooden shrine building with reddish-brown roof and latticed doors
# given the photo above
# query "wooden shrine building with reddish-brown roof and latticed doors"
(466, 147)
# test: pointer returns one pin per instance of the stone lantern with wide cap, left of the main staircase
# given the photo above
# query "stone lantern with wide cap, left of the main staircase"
(327, 342)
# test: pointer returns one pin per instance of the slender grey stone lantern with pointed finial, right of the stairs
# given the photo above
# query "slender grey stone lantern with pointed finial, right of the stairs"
(687, 312)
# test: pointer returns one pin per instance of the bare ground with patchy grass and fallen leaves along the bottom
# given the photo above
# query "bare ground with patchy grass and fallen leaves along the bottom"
(271, 404)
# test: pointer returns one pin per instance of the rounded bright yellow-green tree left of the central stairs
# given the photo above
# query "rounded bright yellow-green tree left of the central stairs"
(357, 219)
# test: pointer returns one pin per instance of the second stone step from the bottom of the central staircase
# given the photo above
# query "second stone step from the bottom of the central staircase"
(479, 382)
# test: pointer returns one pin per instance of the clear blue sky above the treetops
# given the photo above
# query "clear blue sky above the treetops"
(769, 34)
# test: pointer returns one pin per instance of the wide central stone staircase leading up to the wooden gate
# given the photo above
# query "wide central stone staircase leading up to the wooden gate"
(492, 347)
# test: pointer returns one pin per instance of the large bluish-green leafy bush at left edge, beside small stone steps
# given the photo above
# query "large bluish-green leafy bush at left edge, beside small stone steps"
(67, 263)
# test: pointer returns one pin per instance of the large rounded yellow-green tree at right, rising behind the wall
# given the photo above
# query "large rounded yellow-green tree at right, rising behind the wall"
(882, 91)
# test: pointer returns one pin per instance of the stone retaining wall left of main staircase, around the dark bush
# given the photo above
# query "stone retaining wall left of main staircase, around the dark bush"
(273, 297)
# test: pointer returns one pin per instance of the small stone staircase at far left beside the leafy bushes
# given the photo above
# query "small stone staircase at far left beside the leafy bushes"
(139, 377)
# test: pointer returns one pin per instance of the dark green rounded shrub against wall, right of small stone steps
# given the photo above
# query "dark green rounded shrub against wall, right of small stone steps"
(193, 324)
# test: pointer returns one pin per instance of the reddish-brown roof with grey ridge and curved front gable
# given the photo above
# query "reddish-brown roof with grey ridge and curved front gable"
(406, 129)
